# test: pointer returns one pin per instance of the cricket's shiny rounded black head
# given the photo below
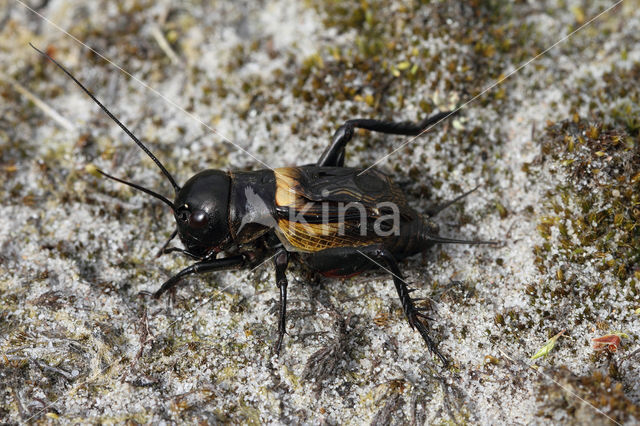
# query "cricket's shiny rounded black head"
(201, 209)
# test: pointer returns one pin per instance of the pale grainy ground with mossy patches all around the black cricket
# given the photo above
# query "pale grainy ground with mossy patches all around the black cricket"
(77, 342)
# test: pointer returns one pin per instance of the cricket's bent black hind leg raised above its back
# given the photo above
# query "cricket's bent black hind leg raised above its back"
(334, 154)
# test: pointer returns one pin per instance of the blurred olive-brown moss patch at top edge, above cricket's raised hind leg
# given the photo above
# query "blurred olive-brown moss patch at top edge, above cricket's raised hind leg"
(385, 64)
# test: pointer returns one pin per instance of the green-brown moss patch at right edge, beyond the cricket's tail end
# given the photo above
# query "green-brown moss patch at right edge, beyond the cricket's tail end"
(603, 165)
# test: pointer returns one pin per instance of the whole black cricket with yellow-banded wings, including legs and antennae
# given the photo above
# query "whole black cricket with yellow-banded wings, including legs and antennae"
(336, 220)
